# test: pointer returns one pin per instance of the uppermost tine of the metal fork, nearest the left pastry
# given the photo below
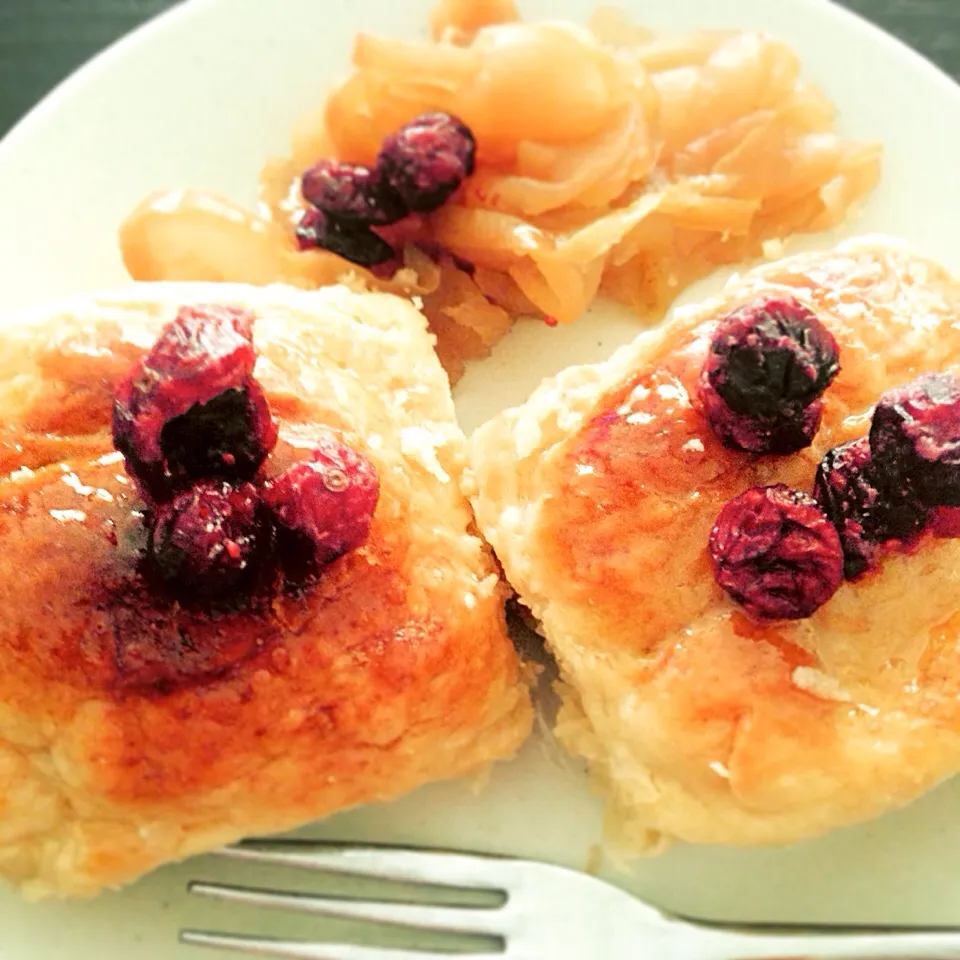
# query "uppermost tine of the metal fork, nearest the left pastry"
(440, 868)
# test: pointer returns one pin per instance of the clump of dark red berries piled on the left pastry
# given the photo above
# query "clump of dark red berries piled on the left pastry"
(194, 427)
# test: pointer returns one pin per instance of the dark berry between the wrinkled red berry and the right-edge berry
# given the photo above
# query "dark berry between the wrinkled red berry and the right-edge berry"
(863, 505)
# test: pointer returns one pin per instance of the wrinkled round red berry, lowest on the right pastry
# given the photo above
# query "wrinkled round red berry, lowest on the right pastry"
(775, 552)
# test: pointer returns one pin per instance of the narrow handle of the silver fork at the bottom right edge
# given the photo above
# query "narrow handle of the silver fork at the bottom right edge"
(901, 945)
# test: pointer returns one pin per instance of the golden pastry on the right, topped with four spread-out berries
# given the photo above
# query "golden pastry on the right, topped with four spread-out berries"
(700, 721)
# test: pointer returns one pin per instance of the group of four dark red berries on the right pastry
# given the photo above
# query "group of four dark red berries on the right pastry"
(779, 552)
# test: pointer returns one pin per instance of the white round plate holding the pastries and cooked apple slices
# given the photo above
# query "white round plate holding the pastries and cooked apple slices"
(201, 97)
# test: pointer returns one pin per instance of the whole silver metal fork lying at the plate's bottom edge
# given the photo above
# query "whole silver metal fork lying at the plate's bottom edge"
(543, 912)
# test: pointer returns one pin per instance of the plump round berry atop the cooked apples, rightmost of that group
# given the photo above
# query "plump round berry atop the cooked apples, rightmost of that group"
(426, 160)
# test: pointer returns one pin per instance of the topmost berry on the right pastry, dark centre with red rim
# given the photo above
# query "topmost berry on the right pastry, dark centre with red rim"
(769, 361)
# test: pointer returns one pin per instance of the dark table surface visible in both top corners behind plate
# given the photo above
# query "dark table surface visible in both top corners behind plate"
(41, 41)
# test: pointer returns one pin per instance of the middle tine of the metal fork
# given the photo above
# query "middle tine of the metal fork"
(478, 920)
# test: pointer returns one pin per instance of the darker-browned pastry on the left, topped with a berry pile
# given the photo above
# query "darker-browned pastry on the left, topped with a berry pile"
(134, 730)
